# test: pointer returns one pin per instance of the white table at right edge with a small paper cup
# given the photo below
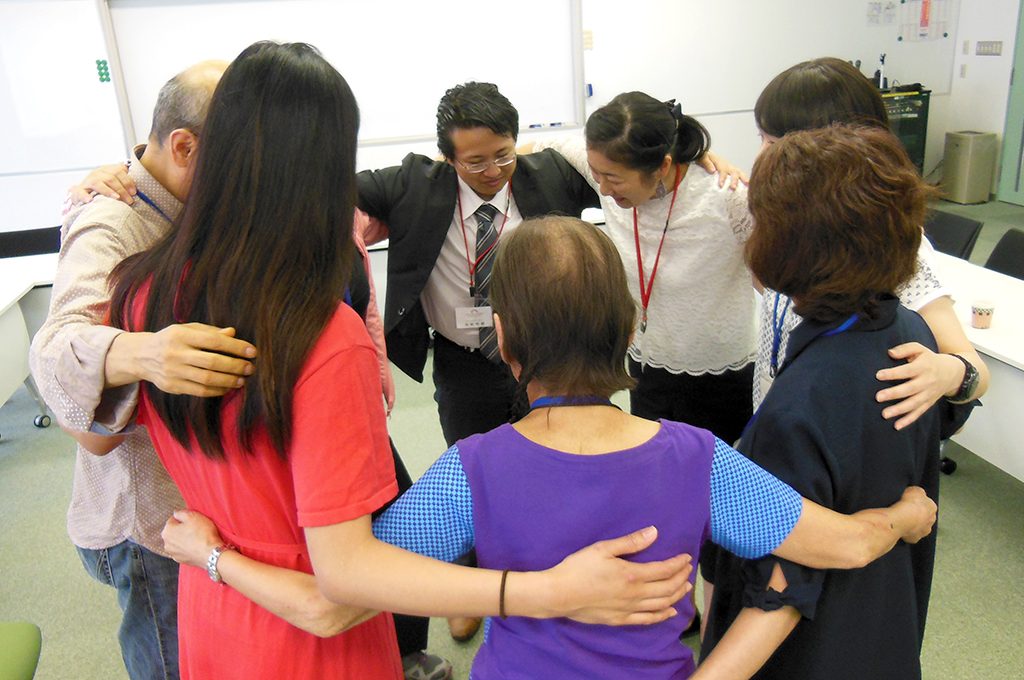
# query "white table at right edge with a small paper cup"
(995, 432)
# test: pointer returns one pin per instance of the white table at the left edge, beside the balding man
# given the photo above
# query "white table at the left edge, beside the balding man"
(19, 277)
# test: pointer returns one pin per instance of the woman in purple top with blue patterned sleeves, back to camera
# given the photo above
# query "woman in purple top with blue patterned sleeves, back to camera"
(578, 470)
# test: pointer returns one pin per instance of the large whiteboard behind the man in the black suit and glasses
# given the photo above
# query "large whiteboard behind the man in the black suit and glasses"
(399, 57)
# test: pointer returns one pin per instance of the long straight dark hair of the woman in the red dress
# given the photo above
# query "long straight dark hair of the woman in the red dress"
(265, 241)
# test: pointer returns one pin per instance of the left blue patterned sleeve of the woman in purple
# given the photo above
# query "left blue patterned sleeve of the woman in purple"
(436, 517)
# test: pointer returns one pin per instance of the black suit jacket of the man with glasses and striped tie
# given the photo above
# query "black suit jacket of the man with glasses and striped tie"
(417, 201)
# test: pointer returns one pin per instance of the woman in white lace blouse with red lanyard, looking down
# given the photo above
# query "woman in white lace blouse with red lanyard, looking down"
(681, 238)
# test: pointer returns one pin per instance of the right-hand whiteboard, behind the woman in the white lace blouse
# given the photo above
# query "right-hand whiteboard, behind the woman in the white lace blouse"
(715, 58)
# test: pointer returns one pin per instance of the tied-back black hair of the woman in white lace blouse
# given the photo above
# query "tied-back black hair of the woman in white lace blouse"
(639, 132)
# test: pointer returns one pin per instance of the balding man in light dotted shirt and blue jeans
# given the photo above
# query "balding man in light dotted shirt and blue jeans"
(120, 502)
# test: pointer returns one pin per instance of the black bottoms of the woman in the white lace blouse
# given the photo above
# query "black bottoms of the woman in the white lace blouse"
(721, 404)
